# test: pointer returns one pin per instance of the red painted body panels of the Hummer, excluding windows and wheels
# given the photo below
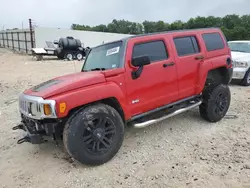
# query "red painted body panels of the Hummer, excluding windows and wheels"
(155, 87)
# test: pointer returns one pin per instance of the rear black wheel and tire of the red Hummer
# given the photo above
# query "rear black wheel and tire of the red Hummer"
(216, 102)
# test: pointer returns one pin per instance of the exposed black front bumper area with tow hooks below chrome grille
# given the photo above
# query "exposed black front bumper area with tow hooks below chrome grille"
(38, 130)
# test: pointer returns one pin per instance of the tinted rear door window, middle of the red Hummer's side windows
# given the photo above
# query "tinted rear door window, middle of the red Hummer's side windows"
(186, 46)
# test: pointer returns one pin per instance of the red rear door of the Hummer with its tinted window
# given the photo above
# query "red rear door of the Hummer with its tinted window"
(188, 58)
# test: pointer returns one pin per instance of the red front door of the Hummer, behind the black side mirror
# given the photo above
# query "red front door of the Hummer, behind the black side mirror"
(157, 84)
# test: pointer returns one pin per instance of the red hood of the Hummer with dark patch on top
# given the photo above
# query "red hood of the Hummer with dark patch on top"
(66, 83)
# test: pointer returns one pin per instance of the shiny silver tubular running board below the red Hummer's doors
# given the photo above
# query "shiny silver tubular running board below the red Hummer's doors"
(153, 121)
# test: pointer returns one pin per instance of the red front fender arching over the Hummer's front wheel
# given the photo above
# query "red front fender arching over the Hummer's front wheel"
(82, 96)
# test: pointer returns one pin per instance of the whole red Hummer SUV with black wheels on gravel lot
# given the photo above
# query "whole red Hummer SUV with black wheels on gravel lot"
(139, 80)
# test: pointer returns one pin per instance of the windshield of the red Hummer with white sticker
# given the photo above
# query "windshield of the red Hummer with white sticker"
(107, 56)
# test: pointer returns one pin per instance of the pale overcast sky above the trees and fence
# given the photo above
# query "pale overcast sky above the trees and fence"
(62, 13)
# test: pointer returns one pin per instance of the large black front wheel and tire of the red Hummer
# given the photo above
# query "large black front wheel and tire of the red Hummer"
(81, 137)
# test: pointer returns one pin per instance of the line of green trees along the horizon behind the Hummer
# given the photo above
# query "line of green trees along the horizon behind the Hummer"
(235, 27)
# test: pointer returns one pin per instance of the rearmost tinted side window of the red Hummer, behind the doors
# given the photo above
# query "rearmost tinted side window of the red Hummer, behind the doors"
(213, 41)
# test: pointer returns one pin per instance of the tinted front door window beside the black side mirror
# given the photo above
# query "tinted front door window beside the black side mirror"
(155, 50)
